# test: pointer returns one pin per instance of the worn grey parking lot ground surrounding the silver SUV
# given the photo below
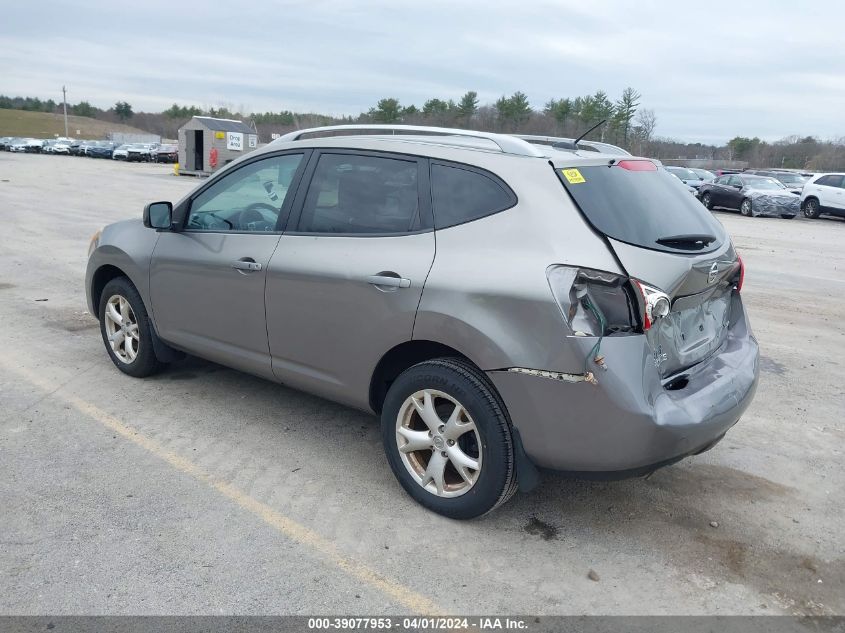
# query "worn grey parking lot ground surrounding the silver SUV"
(205, 491)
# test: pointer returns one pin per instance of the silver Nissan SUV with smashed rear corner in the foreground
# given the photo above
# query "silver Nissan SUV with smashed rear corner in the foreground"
(504, 306)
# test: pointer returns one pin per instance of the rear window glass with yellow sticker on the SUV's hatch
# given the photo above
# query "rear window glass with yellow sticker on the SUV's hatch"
(651, 209)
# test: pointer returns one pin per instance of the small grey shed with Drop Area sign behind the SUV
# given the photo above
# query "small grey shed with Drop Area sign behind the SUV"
(202, 134)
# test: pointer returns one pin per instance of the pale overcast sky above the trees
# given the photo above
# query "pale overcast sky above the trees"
(710, 70)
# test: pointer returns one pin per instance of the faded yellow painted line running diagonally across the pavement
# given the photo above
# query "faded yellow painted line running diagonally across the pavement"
(295, 531)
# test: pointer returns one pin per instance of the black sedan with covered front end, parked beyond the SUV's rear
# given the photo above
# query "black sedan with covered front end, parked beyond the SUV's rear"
(751, 195)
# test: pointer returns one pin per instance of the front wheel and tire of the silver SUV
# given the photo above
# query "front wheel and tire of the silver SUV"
(138, 359)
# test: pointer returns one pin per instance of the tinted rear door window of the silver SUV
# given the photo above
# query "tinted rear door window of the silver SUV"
(361, 195)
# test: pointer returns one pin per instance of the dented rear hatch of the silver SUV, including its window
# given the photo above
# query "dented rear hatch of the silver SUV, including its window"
(667, 242)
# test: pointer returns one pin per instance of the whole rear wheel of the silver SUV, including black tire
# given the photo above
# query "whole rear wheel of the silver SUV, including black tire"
(481, 433)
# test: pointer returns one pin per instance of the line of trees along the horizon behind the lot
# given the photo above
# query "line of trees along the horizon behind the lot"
(627, 124)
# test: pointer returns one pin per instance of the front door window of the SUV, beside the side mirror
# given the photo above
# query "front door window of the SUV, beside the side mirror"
(247, 199)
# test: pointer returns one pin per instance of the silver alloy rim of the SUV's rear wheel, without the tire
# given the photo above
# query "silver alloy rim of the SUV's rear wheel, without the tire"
(438, 443)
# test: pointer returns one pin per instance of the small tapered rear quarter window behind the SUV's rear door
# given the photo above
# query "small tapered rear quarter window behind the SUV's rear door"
(461, 195)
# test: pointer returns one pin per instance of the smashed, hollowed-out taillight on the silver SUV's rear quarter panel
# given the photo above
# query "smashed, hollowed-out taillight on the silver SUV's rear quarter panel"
(593, 302)
